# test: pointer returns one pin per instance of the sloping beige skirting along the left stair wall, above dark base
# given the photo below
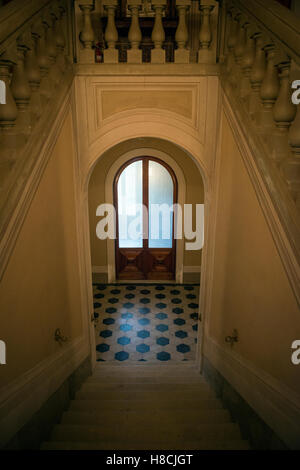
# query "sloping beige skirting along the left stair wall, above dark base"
(23, 397)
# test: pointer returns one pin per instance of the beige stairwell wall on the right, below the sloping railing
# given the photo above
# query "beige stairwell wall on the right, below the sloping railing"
(251, 291)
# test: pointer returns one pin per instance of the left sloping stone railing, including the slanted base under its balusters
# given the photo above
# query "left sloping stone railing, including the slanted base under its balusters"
(35, 72)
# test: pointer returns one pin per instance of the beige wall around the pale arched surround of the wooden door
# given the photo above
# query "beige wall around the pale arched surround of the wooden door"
(194, 191)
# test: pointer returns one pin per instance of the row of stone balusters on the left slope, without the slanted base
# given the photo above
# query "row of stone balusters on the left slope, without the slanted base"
(33, 60)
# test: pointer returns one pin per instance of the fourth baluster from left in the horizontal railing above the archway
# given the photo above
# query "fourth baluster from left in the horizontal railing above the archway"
(158, 55)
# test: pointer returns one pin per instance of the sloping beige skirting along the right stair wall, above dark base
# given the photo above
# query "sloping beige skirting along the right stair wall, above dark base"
(275, 404)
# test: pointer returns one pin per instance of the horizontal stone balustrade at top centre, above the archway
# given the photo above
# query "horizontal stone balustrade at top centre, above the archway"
(98, 40)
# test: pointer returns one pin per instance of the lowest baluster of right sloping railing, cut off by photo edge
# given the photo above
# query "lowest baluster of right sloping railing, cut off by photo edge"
(291, 166)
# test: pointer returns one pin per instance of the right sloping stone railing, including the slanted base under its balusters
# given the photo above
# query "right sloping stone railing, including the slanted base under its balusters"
(260, 54)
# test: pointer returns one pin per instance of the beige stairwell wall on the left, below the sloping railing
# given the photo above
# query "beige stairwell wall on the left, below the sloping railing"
(40, 288)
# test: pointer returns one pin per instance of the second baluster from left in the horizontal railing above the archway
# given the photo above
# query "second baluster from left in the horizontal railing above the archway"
(111, 55)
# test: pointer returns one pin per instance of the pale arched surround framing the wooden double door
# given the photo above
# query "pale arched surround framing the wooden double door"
(109, 199)
